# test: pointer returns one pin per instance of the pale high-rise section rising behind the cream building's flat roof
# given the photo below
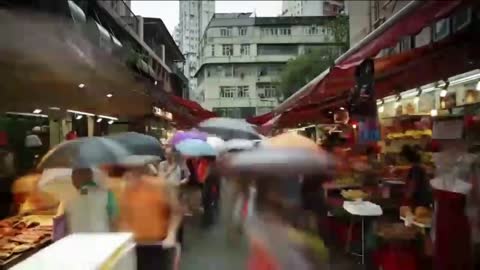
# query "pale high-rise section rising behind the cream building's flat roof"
(312, 8)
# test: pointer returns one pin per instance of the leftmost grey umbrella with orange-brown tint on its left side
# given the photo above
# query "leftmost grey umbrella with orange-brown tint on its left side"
(84, 153)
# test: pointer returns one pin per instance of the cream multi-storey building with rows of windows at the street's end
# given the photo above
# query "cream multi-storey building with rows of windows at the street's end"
(242, 57)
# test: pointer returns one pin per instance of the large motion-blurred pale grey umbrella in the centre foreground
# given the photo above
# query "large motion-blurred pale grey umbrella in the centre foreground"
(277, 162)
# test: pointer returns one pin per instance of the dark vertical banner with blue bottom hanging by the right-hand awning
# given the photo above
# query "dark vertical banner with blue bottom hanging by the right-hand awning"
(363, 106)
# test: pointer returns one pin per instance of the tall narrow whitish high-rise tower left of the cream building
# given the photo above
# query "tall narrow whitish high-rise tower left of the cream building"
(194, 17)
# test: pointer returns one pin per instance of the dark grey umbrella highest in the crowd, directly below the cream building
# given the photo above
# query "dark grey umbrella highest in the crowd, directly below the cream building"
(228, 128)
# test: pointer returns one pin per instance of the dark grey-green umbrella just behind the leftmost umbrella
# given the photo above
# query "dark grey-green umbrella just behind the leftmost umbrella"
(138, 144)
